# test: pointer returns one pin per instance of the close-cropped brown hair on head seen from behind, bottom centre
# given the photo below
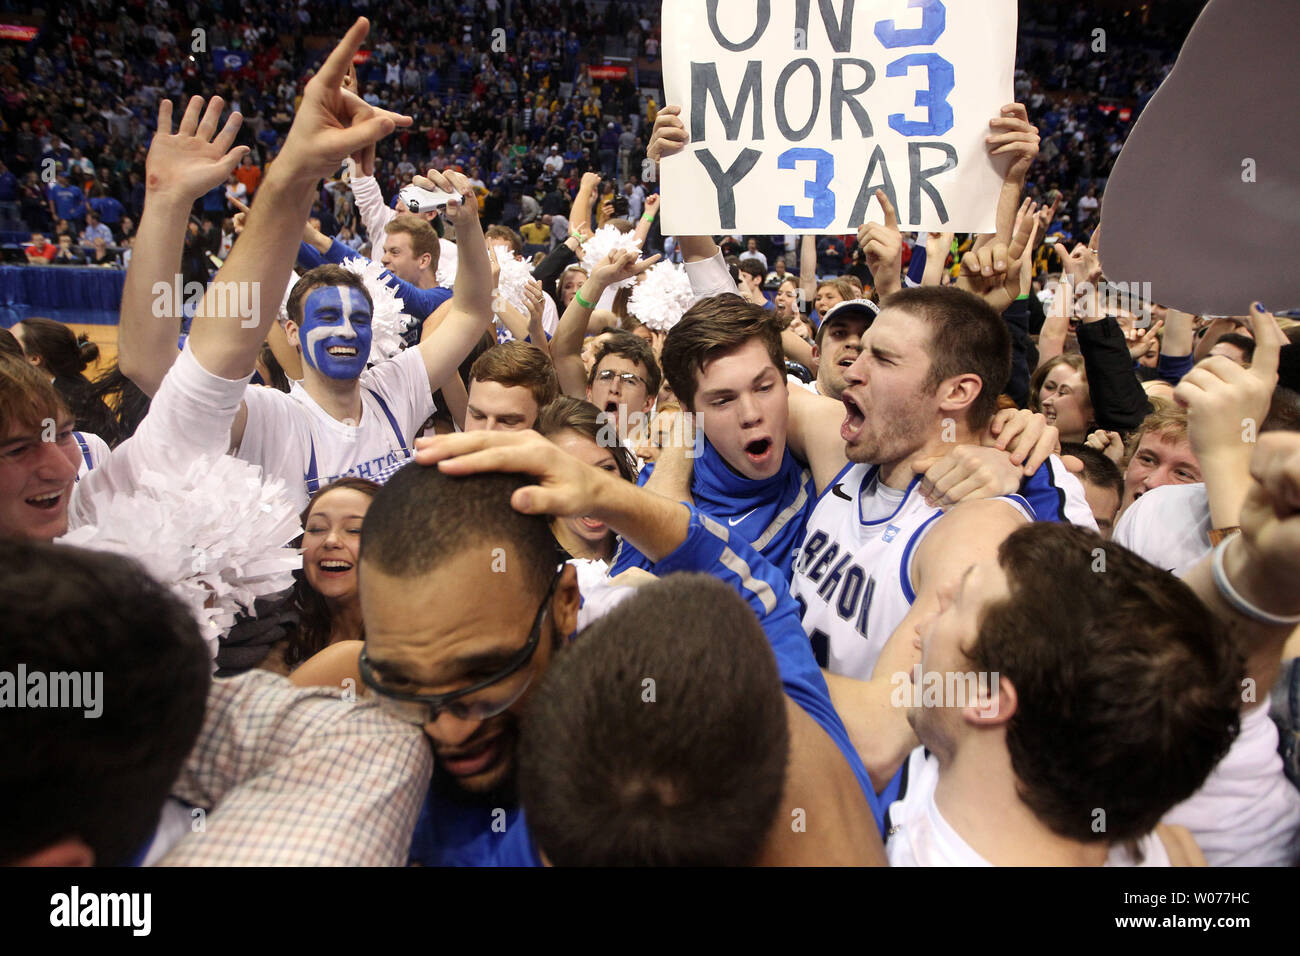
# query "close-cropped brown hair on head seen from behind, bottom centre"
(686, 771)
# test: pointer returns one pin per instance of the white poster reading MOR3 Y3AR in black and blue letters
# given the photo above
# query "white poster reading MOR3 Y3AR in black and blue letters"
(800, 110)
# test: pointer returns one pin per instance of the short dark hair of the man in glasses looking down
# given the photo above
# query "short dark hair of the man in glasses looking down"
(422, 520)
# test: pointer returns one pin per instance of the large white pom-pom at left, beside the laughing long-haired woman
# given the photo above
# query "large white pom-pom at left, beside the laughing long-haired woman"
(216, 537)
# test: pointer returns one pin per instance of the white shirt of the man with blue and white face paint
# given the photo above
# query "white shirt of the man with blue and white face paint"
(292, 438)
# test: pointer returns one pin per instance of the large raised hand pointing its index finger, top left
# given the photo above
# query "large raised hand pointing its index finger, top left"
(333, 123)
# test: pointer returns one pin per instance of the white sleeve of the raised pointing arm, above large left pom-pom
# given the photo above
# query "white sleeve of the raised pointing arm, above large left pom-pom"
(190, 417)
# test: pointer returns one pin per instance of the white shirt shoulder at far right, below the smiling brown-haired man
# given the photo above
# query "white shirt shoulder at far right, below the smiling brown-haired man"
(1169, 527)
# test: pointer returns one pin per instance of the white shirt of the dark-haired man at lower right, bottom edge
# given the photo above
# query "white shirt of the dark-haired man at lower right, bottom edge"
(918, 836)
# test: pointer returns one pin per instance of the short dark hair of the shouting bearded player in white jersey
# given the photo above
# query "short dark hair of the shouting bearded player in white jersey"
(967, 338)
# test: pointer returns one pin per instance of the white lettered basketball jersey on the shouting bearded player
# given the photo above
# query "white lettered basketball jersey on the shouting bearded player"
(853, 573)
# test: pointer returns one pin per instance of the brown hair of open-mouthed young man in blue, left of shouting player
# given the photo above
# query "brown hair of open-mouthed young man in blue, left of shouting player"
(712, 328)
